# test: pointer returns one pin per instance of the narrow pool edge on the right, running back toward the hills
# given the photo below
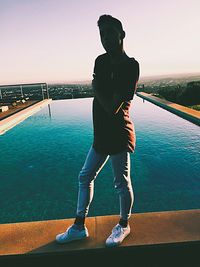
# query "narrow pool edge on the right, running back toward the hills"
(182, 111)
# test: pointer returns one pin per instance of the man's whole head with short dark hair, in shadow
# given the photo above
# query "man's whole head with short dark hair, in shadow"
(111, 33)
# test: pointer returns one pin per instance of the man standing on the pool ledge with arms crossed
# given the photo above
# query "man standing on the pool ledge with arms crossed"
(114, 84)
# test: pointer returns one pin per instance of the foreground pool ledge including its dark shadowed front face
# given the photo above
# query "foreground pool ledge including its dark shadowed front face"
(166, 232)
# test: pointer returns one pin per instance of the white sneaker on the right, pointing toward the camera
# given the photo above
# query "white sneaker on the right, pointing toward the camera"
(117, 236)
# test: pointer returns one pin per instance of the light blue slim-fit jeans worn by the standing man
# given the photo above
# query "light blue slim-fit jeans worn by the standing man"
(122, 182)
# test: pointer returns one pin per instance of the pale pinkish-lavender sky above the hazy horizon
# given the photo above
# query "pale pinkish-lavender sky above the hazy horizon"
(58, 40)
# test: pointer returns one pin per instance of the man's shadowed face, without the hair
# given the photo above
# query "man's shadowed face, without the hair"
(111, 38)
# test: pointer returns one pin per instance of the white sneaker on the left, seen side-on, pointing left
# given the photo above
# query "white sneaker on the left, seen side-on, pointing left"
(72, 233)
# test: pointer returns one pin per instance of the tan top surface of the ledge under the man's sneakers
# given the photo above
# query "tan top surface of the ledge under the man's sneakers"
(149, 228)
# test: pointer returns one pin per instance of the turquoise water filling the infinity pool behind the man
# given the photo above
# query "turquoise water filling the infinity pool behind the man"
(41, 157)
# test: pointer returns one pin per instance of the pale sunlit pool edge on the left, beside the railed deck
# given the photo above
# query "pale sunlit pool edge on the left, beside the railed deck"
(8, 123)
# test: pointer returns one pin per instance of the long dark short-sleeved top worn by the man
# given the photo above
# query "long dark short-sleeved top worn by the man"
(114, 133)
